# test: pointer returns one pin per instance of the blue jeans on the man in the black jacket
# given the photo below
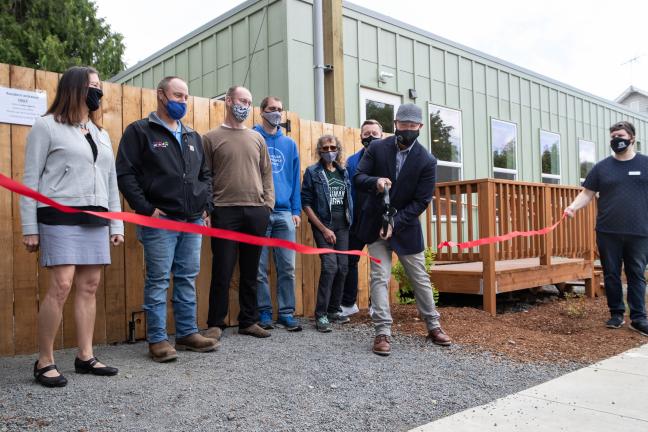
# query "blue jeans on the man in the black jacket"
(167, 252)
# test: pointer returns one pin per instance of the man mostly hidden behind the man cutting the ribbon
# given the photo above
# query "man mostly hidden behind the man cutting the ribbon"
(369, 131)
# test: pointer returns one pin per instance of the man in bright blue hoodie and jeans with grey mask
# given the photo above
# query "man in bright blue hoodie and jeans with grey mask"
(284, 219)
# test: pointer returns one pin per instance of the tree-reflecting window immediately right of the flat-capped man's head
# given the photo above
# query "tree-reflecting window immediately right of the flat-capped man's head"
(446, 136)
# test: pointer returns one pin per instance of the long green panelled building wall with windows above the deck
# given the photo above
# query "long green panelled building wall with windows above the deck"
(481, 89)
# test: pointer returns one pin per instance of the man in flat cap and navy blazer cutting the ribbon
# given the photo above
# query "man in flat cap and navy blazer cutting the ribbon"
(402, 164)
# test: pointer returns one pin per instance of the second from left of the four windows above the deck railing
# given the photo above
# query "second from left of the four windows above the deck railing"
(504, 141)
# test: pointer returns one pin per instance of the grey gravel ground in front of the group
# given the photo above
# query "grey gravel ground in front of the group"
(289, 382)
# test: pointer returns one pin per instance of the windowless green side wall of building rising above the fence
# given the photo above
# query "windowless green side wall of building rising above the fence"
(217, 58)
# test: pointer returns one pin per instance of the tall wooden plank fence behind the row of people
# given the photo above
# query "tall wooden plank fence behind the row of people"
(23, 283)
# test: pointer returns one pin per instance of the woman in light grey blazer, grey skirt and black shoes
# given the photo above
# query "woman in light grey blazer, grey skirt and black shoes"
(69, 158)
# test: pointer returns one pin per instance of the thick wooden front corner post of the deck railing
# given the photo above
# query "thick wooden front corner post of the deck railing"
(486, 200)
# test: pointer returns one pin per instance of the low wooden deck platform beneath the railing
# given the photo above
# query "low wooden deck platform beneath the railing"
(510, 275)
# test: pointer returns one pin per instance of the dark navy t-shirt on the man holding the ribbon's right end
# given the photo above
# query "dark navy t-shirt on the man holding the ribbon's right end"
(623, 195)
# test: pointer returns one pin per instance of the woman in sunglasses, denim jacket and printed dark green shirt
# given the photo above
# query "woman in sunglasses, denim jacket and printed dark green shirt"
(326, 199)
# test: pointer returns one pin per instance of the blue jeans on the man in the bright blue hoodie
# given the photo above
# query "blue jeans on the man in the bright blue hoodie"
(281, 226)
